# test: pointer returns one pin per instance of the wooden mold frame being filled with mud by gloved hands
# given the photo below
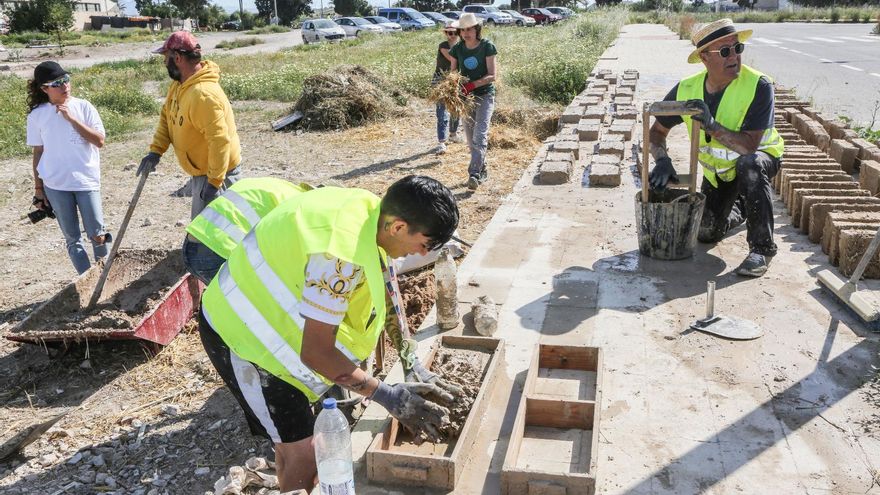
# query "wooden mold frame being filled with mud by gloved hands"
(435, 465)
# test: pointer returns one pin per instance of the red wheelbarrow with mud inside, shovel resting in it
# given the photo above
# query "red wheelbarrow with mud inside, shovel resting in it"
(147, 295)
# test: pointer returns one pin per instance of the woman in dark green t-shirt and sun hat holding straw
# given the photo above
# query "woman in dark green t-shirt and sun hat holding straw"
(475, 59)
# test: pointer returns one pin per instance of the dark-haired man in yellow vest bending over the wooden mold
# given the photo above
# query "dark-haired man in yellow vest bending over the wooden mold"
(302, 301)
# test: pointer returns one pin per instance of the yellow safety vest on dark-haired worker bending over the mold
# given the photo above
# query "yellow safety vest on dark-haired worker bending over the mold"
(254, 301)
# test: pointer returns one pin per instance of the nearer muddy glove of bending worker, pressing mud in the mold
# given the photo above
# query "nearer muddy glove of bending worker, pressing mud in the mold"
(407, 403)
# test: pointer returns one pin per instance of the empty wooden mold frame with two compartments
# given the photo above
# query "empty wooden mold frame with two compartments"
(558, 421)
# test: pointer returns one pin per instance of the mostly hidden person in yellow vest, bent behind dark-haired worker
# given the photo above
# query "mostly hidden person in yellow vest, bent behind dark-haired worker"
(224, 222)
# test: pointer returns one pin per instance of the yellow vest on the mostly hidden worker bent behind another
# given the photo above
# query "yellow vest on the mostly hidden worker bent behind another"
(225, 221)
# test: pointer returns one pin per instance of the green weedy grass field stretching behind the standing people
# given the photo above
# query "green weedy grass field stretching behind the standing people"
(538, 67)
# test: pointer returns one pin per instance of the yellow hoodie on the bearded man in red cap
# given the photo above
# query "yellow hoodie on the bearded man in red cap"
(197, 119)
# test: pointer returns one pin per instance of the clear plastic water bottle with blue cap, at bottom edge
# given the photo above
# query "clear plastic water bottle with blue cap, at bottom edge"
(333, 451)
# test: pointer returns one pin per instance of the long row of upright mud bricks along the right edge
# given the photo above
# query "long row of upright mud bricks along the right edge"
(817, 184)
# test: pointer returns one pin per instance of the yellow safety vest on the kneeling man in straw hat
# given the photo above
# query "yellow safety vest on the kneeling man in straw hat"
(718, 161)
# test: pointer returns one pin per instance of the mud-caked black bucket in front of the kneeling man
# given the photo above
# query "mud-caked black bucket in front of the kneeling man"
(668, 223)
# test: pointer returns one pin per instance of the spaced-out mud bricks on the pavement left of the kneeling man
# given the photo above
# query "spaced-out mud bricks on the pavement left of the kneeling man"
(593, 133)
